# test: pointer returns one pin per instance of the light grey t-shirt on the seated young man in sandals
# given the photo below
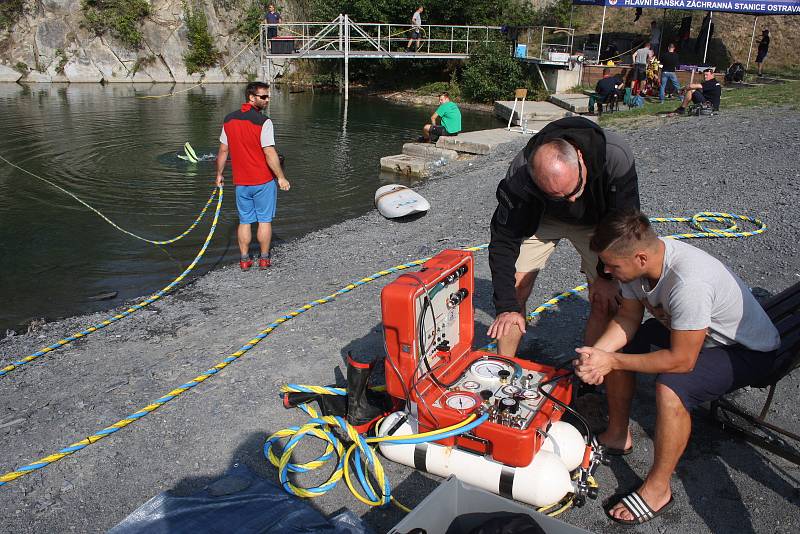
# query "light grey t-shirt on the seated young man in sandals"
(698, 291)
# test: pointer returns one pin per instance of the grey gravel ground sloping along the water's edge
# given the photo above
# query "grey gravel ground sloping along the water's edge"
(743, 162)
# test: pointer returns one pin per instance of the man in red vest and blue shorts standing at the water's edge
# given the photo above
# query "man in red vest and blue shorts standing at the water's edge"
(249, 137)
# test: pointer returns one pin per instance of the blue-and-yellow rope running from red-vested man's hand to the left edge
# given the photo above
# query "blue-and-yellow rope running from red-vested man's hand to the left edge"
(136, 307)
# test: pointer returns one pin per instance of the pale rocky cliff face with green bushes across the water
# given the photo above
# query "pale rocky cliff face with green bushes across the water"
(48, 44)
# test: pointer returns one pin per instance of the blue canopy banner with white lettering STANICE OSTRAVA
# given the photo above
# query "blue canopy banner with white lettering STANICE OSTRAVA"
(750, 7)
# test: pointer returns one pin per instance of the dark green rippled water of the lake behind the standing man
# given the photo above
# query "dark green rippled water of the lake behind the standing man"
(118, 153)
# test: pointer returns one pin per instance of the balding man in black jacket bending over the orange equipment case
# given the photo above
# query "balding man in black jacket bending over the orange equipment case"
(567, 178)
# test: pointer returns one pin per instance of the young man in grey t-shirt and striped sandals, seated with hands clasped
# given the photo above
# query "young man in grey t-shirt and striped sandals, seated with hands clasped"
(711, 335)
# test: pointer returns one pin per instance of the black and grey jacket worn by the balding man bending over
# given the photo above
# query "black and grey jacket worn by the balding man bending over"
(611, 183)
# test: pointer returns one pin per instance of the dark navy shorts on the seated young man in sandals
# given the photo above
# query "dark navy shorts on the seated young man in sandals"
(718, 370)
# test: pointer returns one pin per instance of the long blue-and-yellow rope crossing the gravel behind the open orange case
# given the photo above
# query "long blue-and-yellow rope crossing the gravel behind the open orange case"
(695, 220)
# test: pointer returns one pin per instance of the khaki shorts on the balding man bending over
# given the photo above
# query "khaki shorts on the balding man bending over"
(535, 250)
